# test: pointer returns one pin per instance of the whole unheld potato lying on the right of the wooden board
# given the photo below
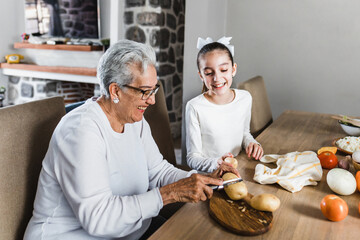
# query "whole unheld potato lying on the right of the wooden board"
(265, 202)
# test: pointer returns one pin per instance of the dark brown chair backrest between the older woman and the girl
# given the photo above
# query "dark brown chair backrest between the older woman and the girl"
(158, 119)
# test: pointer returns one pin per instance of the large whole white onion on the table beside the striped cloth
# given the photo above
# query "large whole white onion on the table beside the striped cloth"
(341, 181)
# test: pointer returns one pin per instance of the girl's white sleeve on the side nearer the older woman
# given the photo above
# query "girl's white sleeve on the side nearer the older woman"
(195, 158)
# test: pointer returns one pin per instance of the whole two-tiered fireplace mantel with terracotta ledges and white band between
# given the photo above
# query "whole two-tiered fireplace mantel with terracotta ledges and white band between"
(64, 52)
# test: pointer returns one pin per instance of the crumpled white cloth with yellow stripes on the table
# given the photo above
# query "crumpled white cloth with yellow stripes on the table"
(294, 170)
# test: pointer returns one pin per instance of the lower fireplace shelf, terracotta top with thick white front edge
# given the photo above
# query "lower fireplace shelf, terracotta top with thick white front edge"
(73, 74)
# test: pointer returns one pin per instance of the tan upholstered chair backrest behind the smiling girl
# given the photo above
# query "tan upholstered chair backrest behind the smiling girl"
(261, 116)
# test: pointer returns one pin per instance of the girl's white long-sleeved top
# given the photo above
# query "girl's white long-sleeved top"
(213, 130)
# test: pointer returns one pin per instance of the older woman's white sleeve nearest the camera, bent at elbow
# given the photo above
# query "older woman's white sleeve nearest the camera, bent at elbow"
(82, 172)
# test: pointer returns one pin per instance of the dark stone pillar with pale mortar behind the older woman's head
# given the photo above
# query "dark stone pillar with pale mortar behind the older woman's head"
(160, 23)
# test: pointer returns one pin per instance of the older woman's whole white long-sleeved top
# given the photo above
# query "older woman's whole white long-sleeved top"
(96, 183)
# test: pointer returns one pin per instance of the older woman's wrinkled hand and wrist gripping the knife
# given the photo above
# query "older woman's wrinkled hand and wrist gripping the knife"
(192, 189)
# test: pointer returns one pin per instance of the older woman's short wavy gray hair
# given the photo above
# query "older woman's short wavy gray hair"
(115, 65)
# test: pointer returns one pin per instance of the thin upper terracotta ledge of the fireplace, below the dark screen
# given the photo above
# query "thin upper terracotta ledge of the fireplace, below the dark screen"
(66, 47)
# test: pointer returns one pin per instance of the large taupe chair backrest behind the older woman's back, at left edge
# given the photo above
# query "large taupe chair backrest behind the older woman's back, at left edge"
(25, 131)
